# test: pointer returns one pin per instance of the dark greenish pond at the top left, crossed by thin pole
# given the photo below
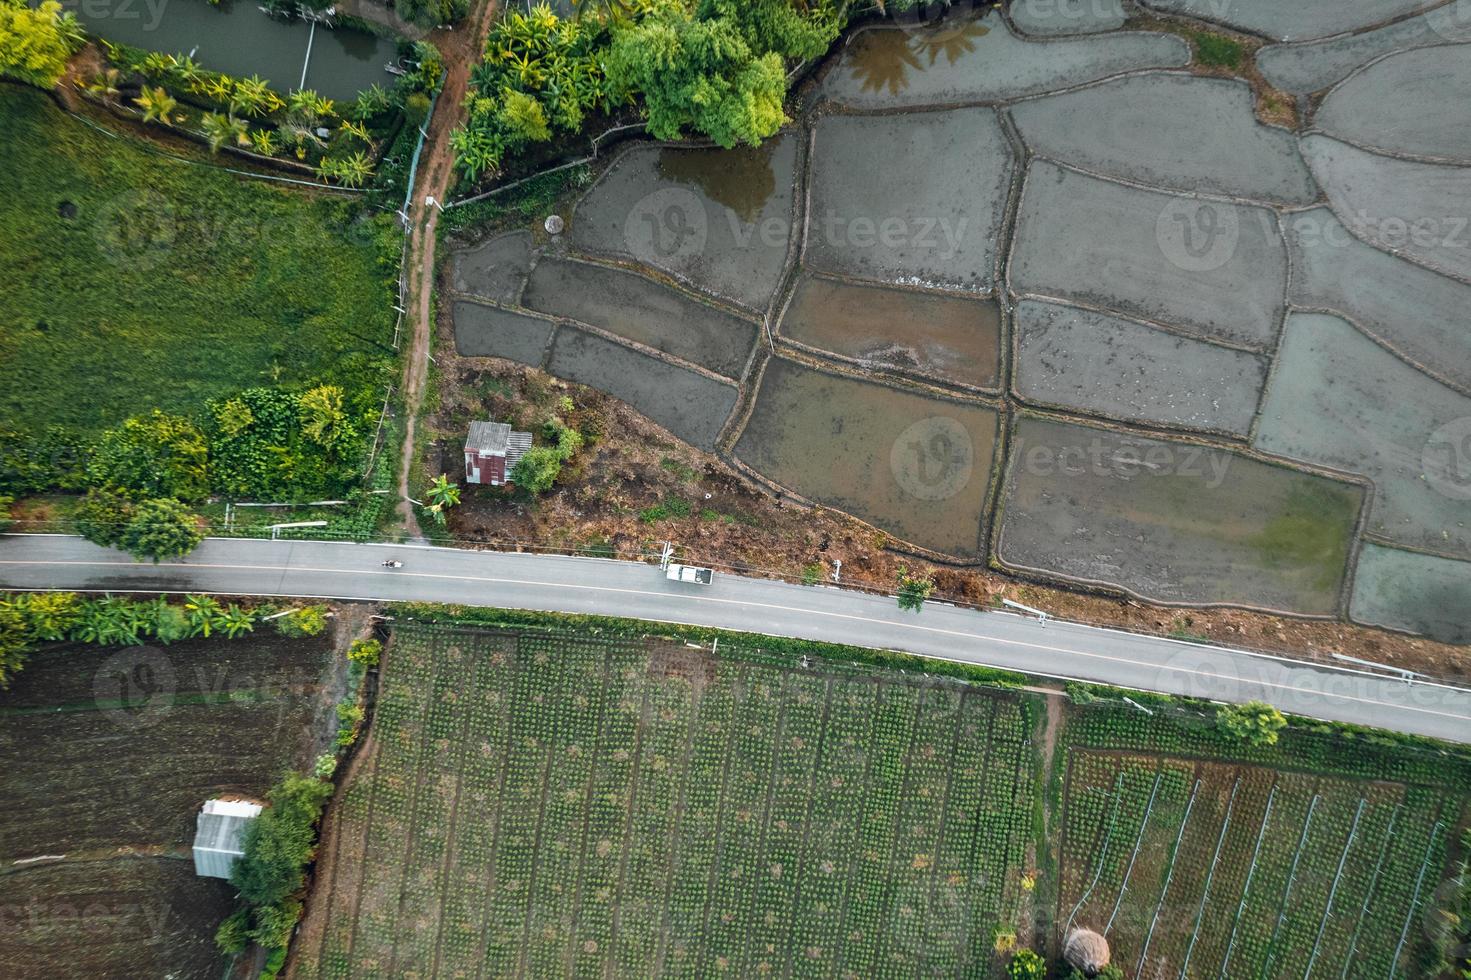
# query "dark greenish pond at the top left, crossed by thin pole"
(239, 39)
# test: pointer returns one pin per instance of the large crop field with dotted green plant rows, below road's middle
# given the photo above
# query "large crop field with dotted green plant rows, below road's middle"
(551, 806)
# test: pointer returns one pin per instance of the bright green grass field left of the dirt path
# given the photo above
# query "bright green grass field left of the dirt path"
(138, 282)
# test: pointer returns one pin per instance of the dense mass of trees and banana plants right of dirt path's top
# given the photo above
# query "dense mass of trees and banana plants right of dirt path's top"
(713, 68)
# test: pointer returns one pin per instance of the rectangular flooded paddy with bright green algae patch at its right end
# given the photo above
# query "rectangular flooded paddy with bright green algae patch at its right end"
(1175, 522)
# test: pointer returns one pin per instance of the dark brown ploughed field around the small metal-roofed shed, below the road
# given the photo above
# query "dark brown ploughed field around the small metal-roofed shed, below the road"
(110, 756)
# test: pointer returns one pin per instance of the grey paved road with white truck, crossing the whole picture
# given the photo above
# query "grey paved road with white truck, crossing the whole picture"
(629, 589)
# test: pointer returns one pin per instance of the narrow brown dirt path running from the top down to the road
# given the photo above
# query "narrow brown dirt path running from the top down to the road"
(460, 49)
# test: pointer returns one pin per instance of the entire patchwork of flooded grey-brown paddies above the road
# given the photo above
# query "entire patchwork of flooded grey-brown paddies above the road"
(1050, 226)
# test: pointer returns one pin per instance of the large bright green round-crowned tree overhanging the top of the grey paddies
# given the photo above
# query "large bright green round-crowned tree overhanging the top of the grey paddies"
(702, 76)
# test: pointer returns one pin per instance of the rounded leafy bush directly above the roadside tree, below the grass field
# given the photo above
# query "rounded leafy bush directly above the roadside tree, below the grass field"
(152, 457)
